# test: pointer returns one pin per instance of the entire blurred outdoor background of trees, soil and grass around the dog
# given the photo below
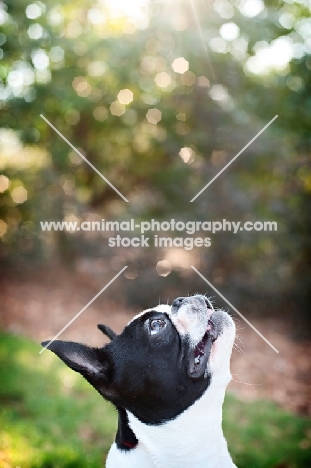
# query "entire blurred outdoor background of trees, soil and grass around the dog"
(159, 96)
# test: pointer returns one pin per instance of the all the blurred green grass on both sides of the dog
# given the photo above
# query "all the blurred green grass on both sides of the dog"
(51, 418)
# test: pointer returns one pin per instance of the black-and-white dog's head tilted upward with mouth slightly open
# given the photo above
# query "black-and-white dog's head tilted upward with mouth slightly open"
(163, 361)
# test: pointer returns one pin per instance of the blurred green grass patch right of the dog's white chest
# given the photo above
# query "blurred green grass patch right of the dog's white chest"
(262, 435)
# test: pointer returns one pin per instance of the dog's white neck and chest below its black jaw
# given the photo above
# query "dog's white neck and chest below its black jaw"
(194, 438)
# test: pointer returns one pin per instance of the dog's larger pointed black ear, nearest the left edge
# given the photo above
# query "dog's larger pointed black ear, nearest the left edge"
(93, 363)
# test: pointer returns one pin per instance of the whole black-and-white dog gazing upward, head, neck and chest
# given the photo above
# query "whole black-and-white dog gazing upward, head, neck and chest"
(166, 374)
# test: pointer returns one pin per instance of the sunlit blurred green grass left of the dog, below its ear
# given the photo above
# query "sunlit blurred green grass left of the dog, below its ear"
(49, 415)
